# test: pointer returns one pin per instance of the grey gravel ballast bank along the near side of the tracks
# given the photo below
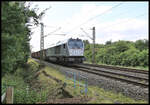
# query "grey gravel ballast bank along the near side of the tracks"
(130, 90)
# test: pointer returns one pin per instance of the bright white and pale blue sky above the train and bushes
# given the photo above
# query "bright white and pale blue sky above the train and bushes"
(112, 21)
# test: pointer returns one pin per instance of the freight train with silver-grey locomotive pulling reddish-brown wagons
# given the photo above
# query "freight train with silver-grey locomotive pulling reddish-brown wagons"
(67, 51)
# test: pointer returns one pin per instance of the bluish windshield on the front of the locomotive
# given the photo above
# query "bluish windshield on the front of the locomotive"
(75, 44)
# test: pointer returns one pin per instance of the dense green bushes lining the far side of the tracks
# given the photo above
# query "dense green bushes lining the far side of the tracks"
(123, 53)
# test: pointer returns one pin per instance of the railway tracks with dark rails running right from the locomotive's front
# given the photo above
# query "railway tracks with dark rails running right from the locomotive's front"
(137, 78)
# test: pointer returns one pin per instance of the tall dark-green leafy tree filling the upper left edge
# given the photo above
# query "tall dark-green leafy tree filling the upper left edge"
(16, 34)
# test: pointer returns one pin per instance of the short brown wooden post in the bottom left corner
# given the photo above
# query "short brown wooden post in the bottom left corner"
(9, 95)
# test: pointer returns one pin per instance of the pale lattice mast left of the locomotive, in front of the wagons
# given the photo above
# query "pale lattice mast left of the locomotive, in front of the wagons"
(42, 42)
